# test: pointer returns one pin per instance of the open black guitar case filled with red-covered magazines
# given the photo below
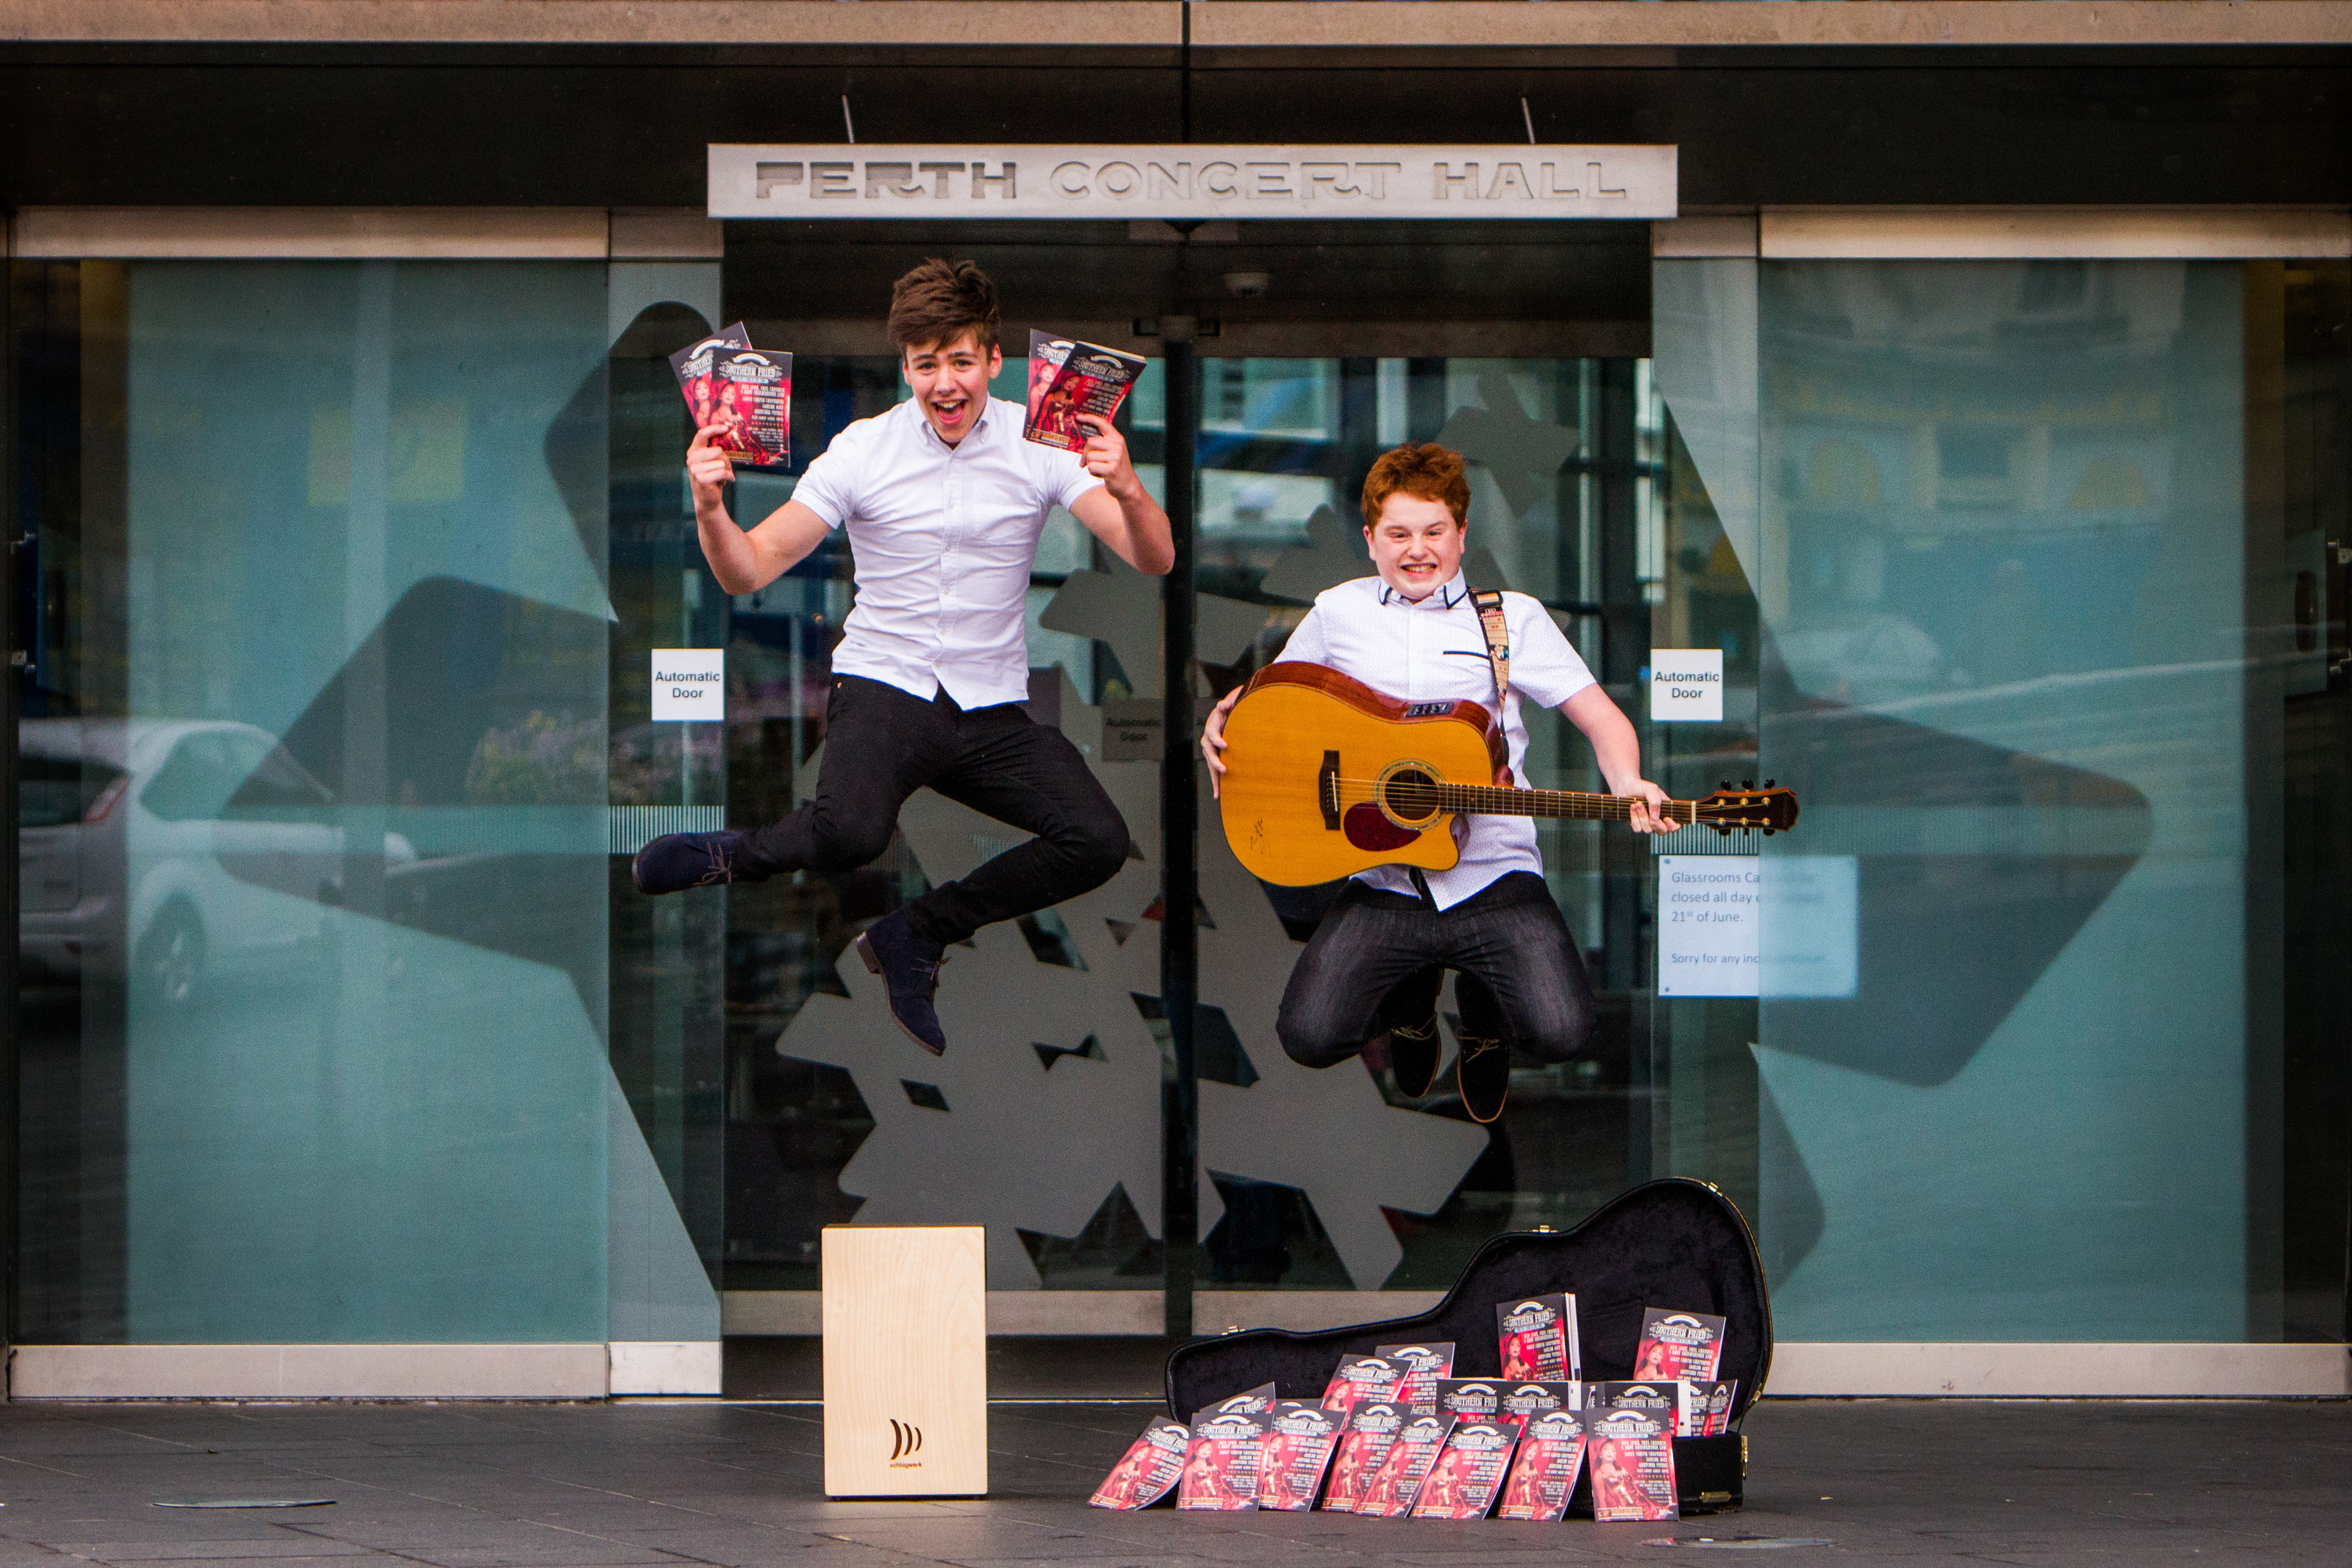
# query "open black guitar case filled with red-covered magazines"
(1666, 1245)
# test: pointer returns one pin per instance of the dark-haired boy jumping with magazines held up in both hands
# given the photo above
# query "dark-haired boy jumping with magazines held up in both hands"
(944, 504)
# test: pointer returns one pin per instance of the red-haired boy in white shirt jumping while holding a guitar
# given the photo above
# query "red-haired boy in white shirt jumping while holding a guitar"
(1422, 636)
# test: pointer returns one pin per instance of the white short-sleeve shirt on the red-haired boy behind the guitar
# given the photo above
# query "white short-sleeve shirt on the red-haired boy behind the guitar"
(1436, 650)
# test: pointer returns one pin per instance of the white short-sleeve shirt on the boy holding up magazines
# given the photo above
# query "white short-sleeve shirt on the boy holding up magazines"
(942, 540)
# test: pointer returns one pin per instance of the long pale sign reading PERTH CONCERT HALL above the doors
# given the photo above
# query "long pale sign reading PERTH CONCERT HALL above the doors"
(1191, 182)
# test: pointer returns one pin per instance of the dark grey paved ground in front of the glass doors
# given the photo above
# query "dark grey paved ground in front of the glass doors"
(740, 1487)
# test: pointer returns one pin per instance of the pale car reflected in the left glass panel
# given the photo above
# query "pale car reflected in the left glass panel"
(171, 852)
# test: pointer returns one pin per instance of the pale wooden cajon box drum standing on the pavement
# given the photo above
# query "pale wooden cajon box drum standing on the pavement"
(907, 1360)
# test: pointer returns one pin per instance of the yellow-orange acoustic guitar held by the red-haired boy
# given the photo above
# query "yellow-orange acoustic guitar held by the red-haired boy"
(1325, 779)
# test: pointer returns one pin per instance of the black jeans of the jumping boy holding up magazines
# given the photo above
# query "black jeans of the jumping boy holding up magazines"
(886, 744)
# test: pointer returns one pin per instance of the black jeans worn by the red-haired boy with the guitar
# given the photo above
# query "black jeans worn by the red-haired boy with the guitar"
(1379, 958)
